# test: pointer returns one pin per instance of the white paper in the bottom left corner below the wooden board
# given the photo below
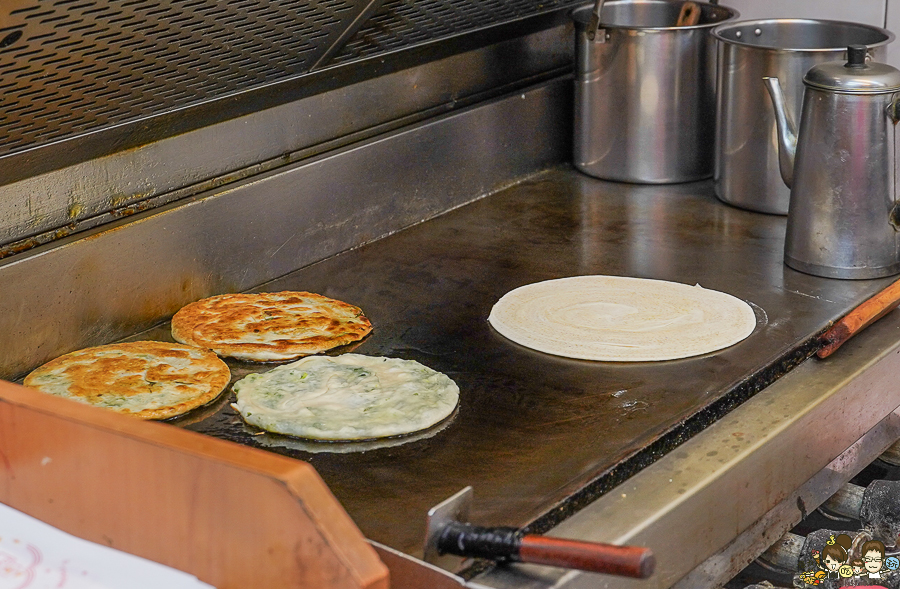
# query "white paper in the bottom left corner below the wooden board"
(34, 555)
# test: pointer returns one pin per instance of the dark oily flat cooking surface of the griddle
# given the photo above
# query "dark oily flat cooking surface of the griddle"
(537, 435)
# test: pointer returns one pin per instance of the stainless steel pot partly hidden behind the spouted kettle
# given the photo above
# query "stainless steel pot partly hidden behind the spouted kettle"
(746, 172)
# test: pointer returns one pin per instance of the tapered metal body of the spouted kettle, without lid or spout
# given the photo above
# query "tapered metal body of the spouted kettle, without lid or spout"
(841, 212)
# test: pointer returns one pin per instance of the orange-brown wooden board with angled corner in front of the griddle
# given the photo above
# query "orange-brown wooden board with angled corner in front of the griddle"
(232, 515)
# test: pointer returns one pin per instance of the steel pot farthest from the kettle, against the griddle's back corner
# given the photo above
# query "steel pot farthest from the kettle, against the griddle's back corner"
(645, 91)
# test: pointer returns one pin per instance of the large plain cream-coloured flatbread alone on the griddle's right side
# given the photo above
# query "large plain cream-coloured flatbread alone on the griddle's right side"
(620, 319)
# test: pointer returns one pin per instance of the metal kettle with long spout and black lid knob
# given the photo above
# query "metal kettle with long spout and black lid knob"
(841, 168)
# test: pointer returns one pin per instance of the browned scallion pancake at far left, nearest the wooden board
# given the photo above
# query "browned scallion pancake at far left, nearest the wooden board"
(150, 380)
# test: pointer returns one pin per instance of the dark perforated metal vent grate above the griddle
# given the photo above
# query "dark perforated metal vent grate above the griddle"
(72, 67)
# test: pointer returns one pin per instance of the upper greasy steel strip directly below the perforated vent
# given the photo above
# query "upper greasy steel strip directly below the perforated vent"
(42, 208)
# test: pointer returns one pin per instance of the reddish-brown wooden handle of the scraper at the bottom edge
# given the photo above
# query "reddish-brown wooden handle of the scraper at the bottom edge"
(625, 561)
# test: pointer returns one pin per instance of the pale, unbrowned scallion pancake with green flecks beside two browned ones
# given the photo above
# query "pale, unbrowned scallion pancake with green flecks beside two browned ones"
(347, 397)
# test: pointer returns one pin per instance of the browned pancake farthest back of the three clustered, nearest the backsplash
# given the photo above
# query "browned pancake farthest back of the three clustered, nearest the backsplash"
(269, 326)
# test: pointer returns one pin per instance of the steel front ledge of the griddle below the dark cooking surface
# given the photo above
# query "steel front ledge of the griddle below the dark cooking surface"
(739, 485)
